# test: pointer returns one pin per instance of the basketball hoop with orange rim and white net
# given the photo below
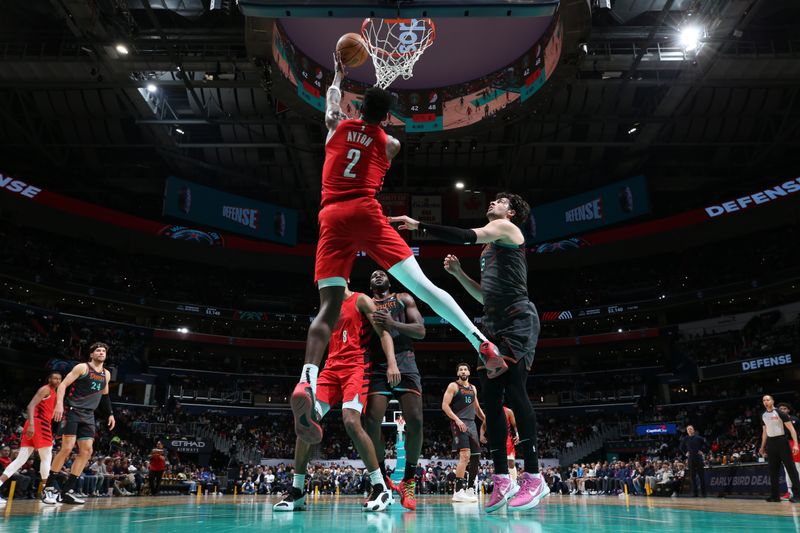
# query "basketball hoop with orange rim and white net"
(395, 45)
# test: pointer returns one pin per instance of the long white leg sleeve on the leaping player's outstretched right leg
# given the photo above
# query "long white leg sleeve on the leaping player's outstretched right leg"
(410, 274)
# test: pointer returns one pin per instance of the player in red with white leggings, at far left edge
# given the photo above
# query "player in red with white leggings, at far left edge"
(38, 433)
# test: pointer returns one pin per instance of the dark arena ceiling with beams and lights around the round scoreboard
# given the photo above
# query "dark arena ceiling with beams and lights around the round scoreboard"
(76, 116)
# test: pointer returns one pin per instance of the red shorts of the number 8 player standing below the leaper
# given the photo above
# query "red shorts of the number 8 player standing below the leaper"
(346, 382)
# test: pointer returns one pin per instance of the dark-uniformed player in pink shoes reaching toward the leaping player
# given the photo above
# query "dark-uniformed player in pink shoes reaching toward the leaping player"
(510, 318)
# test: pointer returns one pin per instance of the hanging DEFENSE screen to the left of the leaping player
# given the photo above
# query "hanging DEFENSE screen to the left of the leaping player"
(211, 207)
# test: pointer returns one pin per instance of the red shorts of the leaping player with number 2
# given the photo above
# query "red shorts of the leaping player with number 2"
(352, 226)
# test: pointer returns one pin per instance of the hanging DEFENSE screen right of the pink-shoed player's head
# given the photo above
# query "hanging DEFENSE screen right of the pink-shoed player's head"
(607, 205)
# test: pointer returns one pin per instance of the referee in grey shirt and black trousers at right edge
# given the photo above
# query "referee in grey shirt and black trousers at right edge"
(775, 447)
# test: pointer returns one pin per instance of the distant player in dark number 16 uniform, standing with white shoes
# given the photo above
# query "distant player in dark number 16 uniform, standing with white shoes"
(460, 404)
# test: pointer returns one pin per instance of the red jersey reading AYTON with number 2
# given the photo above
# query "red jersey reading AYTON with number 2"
(355, 162)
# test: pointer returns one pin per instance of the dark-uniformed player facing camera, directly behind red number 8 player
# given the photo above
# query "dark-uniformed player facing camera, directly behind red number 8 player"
(396, 313)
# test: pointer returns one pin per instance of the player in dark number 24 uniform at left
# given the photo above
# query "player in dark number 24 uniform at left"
(82, 391)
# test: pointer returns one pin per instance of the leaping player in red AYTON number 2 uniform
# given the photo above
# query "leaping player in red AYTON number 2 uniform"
(357, 155)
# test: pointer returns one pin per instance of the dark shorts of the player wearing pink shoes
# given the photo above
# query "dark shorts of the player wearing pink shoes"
(514, 330)
